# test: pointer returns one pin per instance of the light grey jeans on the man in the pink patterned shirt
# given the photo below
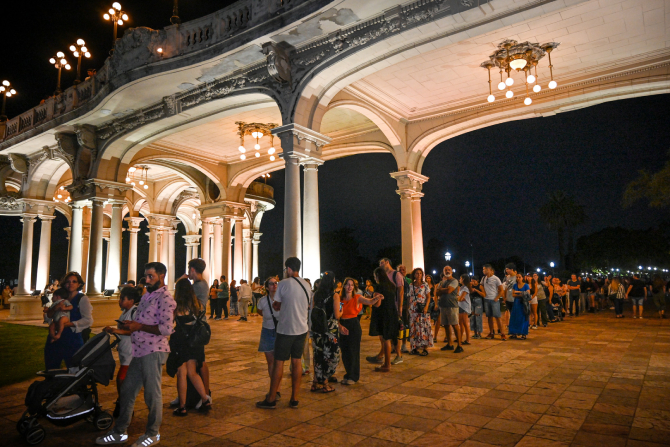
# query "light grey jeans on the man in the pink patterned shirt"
(142, 372)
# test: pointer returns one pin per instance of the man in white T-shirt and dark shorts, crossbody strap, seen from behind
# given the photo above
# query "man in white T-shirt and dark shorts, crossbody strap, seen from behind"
(293, 298)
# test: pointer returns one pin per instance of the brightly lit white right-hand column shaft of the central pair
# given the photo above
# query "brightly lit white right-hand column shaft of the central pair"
(311, 248)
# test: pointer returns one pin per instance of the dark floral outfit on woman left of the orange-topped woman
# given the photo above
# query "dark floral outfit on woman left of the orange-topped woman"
(326, 346)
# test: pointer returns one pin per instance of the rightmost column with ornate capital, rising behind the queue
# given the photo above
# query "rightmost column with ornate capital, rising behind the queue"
(409, 189)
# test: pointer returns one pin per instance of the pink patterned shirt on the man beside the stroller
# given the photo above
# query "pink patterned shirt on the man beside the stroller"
(155, 309)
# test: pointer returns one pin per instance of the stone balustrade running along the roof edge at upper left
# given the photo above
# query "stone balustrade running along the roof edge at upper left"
(174, 40)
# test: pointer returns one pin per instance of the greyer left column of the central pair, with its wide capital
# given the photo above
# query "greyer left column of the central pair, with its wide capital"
(300, 145)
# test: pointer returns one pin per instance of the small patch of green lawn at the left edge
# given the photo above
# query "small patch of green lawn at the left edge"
(21, 352)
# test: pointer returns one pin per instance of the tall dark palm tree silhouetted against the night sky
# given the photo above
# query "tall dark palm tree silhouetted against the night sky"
(562, 214)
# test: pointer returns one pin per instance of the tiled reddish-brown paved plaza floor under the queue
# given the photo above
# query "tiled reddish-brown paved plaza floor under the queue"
(592, 380)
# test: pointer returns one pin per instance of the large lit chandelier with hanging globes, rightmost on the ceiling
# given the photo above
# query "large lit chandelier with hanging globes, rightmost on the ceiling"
(523, 56)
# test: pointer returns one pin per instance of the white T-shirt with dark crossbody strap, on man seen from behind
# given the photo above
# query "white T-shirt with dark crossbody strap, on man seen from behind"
(294, 306)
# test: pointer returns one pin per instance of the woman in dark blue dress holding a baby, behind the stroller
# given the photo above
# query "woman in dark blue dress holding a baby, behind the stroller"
(72, 313)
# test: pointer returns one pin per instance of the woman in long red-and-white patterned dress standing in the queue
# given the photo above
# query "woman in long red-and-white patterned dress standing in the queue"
(420, 330)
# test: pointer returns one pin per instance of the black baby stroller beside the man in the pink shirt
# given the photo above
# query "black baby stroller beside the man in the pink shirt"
(67, 396)
